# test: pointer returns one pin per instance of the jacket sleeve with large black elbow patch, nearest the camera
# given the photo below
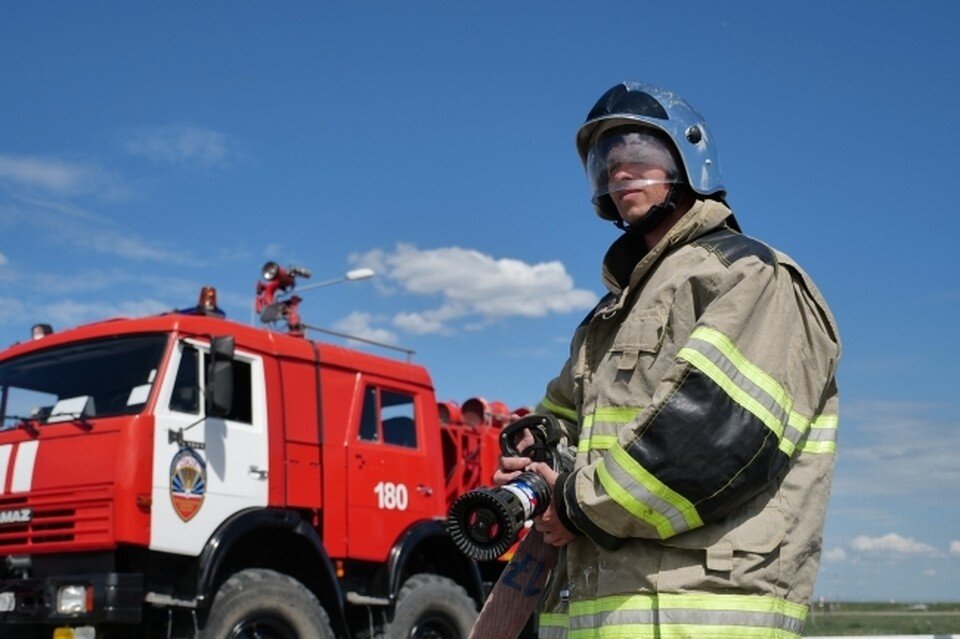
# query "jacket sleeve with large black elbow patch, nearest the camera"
(757, 369)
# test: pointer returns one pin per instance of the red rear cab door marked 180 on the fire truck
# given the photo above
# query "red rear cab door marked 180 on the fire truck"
(391, 481)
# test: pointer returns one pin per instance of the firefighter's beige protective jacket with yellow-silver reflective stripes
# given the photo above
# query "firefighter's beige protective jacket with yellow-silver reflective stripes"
(701, 396)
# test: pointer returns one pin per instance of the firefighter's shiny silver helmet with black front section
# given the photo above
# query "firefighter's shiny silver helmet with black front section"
(653, 117)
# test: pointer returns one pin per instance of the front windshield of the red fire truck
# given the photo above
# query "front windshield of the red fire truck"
(97, 378)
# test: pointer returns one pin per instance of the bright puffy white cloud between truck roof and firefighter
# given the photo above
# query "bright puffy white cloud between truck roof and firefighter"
(473, 285)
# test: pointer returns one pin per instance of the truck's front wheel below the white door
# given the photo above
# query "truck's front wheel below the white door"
(263, 604)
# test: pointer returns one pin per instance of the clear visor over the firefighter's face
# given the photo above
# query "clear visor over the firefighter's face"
(619, 159)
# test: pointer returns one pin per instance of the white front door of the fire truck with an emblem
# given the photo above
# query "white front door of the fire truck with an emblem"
(205, 468)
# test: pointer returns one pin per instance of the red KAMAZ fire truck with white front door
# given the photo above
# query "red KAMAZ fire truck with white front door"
(187, 475)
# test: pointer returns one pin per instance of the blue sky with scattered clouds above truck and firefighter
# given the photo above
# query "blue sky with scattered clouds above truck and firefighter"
(148, 149)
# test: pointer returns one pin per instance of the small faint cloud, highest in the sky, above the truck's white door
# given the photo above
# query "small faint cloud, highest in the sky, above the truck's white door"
(180, 144)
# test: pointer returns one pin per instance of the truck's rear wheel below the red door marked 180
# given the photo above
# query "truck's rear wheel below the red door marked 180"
(432, 607)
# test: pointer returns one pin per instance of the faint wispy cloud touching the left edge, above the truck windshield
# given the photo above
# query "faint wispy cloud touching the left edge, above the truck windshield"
(58, 176)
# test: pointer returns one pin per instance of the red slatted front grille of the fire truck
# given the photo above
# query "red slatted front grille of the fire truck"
(50, 521)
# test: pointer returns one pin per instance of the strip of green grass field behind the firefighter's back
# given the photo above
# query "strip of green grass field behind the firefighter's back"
(853, 619)
